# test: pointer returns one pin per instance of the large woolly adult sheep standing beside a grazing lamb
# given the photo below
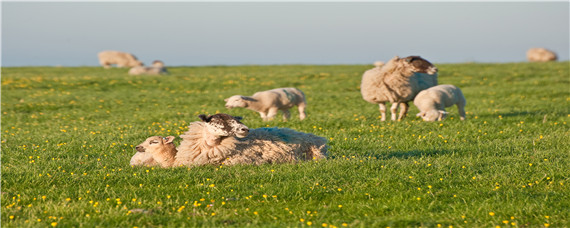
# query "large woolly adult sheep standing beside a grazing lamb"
(397, 82)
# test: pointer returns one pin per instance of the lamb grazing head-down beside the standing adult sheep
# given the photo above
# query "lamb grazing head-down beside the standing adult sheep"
(433, 101)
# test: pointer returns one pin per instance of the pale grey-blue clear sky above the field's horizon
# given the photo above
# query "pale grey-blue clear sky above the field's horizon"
(267, 33)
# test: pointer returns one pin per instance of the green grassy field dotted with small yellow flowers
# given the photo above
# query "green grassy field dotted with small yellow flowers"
(68, 135)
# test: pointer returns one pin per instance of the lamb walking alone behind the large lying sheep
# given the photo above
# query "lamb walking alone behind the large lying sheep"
(267, 103)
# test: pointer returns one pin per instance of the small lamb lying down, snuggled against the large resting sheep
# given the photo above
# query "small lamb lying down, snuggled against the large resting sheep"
(155, 150)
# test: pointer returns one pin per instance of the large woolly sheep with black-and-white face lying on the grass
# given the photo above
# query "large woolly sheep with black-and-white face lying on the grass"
(223, 139)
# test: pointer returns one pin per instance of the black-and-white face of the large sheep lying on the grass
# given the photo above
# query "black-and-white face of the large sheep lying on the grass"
(225, 125)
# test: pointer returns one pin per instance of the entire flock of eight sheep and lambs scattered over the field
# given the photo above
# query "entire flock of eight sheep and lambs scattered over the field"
(222, 139)
